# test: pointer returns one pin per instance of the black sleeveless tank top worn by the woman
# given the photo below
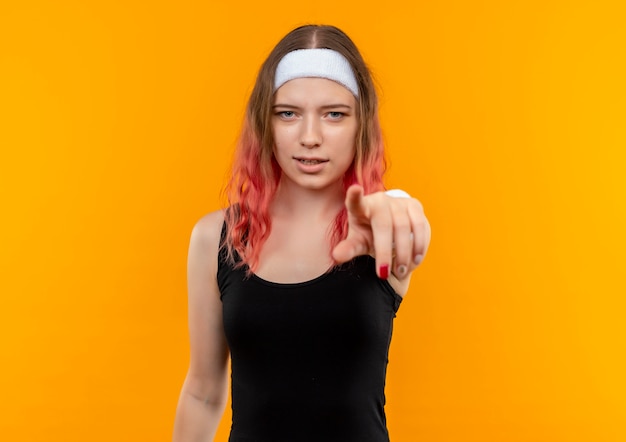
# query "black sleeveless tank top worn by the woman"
(308, 359)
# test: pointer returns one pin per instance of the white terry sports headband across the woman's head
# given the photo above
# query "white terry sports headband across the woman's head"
(316, 63)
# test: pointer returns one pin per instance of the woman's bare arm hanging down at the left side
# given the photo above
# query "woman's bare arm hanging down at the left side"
(205, 390)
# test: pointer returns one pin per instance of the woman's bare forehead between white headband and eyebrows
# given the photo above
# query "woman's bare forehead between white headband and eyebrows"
(313, 91)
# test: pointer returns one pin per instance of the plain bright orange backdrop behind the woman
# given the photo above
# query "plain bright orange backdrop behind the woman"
(507, 119)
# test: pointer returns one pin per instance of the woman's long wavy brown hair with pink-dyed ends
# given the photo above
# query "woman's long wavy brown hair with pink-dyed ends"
(256, 174)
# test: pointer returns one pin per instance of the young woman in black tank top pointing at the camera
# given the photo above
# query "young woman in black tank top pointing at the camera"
(299, 280)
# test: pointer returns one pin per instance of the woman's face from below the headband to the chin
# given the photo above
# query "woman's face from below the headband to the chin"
(314, 124)
